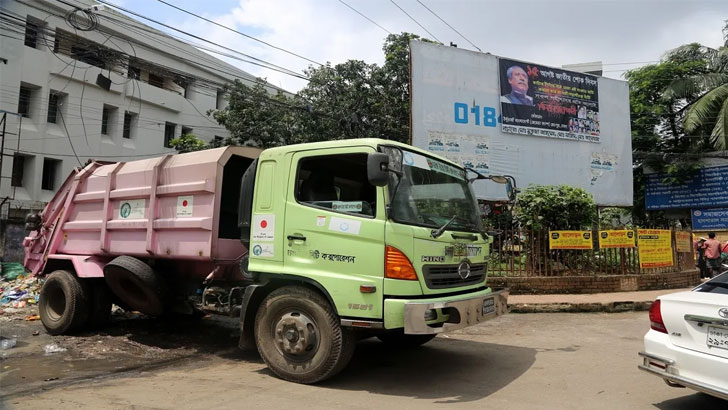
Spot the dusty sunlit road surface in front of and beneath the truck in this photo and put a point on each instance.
(519, 361)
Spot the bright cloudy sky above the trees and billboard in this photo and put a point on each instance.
(623, 34)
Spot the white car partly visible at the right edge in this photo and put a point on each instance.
(687, 344)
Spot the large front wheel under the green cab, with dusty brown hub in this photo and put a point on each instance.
(300, 337)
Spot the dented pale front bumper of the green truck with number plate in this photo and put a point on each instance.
(459, 311)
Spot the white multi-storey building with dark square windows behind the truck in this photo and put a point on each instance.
(118, 91)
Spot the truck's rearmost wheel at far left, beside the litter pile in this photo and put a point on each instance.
(62, 304)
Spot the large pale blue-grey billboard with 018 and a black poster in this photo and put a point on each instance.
(576, 133)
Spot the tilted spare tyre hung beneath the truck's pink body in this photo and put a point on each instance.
(136, 284)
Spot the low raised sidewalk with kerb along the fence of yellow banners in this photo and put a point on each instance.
(595, 302)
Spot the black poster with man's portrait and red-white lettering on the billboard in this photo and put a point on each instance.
(548, 102)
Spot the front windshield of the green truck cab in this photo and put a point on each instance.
(430, 192)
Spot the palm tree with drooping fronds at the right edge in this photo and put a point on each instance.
(705, 94)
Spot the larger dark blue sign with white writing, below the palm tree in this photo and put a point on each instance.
(707, 189)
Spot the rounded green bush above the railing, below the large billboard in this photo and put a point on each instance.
(543, 207)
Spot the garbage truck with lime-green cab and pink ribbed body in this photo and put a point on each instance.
(313, 246)
